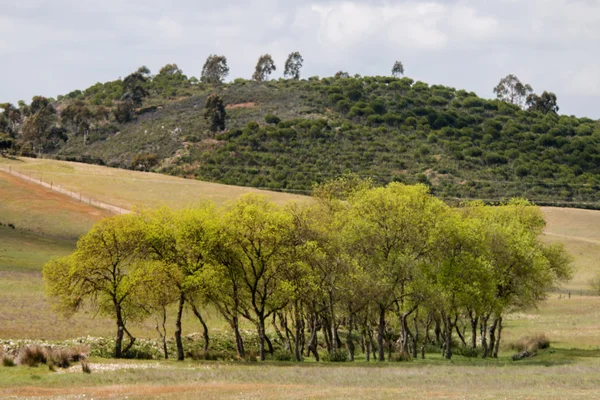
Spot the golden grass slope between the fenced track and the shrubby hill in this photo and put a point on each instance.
(127, 189)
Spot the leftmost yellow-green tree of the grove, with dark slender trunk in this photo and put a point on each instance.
(101, 271)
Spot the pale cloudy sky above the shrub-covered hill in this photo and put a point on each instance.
(51, 47)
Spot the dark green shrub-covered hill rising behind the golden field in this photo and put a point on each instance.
(288, 134)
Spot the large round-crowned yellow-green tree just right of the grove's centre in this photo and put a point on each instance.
(390, 234)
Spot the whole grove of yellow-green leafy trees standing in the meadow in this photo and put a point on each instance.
(390, 270)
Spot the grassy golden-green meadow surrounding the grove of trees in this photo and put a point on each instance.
(47, 225)
